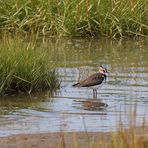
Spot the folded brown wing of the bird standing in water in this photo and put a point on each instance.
(92, 80)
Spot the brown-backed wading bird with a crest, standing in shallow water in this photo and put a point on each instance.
(94, 80)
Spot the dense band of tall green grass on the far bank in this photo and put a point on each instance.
(117, 18)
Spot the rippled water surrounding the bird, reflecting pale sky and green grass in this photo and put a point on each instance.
(124, 95)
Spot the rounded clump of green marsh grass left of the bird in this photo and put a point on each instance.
(24, 68)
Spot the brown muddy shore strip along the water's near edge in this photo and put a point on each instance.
(69, 139)
